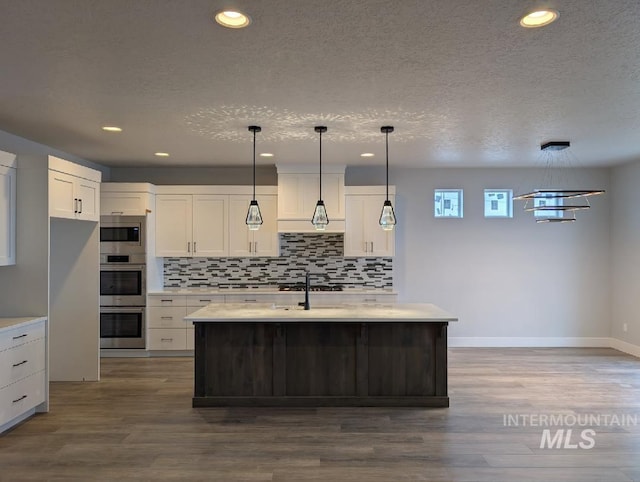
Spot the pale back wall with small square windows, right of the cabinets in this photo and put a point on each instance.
(501, 277)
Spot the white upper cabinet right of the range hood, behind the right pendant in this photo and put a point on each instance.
(363, 235)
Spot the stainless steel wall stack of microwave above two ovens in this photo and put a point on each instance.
(123, 287)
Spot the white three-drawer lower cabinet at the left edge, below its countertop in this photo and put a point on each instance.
(22, 371)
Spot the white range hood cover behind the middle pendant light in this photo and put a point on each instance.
(299, 191)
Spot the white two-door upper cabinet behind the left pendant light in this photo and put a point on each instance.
(244, 242)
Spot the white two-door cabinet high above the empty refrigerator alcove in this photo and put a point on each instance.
(74, 191)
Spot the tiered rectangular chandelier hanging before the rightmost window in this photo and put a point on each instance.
(554, 204)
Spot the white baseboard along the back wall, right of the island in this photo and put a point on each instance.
(526, 341)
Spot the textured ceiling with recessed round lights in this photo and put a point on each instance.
(461, 81)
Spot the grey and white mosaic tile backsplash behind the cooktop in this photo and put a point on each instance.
(320, 254)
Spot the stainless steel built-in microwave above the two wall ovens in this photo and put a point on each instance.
(122, 234)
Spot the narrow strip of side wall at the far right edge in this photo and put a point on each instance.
(625, 240)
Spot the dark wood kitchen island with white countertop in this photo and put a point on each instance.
(343, 355)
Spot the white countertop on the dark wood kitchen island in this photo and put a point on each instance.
(265, 312)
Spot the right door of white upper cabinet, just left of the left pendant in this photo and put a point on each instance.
(210, 225)
